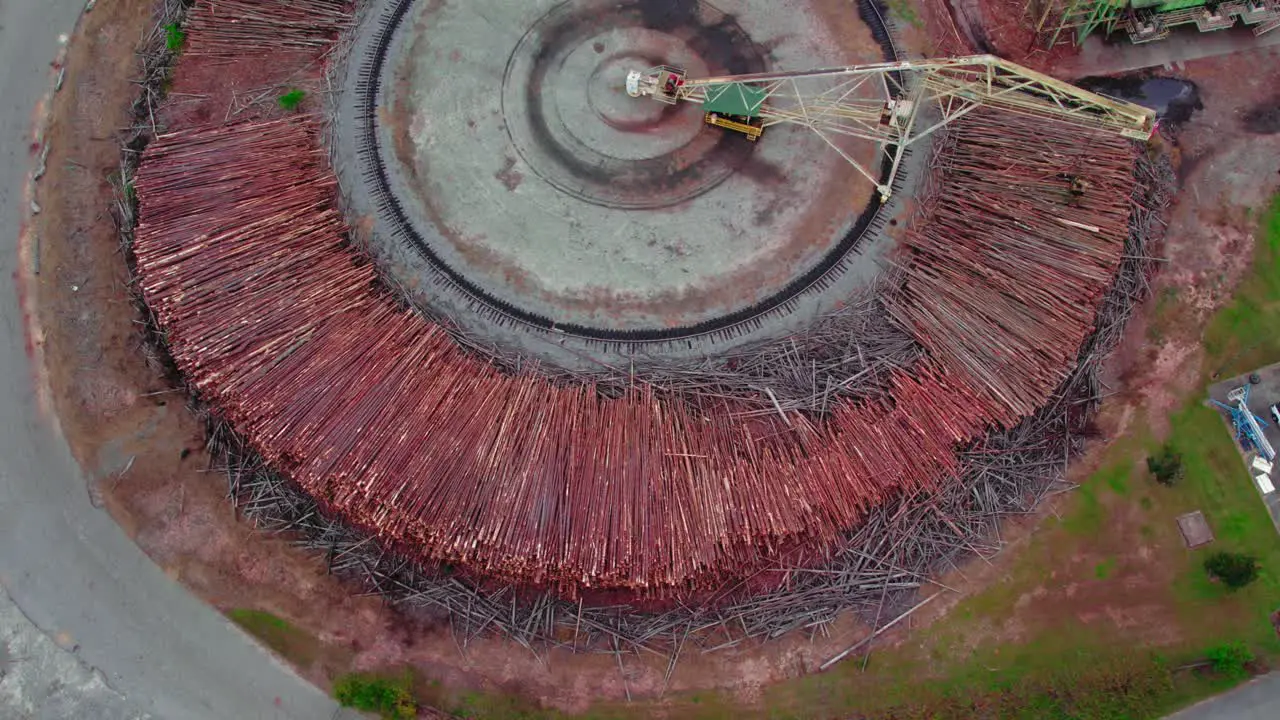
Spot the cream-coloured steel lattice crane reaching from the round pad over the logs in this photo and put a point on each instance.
(886, 103)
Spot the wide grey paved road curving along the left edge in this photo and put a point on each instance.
(70, 569)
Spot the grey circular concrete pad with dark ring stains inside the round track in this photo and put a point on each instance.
(522, 168)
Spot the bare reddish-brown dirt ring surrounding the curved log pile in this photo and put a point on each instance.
(145, 452)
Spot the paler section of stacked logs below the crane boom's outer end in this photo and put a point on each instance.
(1005, 275)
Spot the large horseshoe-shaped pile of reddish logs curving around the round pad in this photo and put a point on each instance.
(383, 418)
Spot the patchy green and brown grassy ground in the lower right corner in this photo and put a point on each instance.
(1117, 531)
